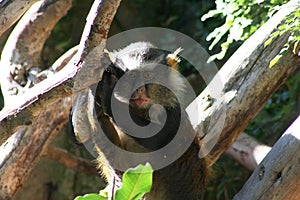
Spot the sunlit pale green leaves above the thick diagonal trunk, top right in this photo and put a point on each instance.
(242, 19)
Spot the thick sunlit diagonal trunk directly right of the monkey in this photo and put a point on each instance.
(248, 83)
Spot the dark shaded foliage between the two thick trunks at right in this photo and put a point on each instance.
(280, 110)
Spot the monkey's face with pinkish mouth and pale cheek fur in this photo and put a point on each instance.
(149, 85)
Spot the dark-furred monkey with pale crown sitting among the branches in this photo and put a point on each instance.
(145, 81)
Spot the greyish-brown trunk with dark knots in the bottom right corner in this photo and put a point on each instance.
(277, 176)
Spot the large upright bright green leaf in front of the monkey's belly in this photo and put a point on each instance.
(136, 183)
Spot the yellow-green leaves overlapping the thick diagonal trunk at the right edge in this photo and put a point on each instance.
(293, 26)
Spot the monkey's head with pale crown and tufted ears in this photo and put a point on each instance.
(150, 77)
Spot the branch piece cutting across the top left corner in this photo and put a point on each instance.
(11, 11)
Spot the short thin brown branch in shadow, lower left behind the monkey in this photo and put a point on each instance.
(63, 157)
